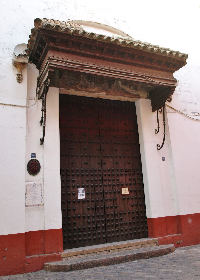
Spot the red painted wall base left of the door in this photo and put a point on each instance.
(27, 252)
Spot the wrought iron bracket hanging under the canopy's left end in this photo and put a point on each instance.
(43, 117)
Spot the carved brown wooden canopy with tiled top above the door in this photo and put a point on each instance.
(92, 64)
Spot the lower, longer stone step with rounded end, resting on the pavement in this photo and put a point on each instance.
(104, 259)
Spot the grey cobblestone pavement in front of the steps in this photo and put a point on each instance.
(183, 264)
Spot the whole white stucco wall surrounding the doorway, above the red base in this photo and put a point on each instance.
(171, 186)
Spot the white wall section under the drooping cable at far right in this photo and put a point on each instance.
(184, 135)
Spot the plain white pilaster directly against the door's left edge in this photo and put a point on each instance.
(52, 184)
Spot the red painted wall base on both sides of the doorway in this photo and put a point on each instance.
(27, 252)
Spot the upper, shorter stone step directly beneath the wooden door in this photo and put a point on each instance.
(111, 247)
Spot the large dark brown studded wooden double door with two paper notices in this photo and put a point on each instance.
(100, 159)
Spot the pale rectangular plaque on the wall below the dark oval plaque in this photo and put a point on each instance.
(34, 194)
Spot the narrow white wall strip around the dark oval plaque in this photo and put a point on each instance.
(34, 214)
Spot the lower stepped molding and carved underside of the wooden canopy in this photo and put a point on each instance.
(93, 78)
